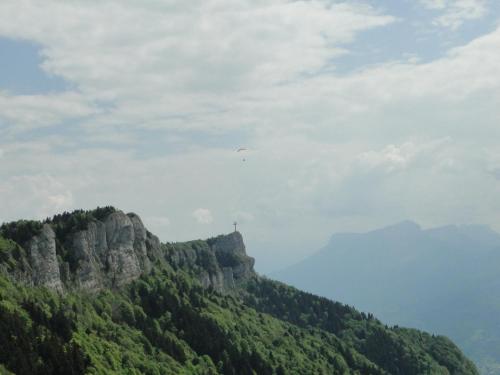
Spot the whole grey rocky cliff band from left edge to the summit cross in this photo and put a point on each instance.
(110, 251)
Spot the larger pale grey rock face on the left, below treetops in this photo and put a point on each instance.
(108, 253)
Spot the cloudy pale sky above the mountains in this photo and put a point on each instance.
(354, 114)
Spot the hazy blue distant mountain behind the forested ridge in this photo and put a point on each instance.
(445, 280)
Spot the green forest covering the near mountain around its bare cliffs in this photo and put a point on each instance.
(166, 322)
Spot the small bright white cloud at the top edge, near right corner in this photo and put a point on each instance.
(456, 12)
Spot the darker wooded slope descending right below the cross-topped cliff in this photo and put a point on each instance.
(396, 350)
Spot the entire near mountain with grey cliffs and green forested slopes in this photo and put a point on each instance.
(94, 292)
